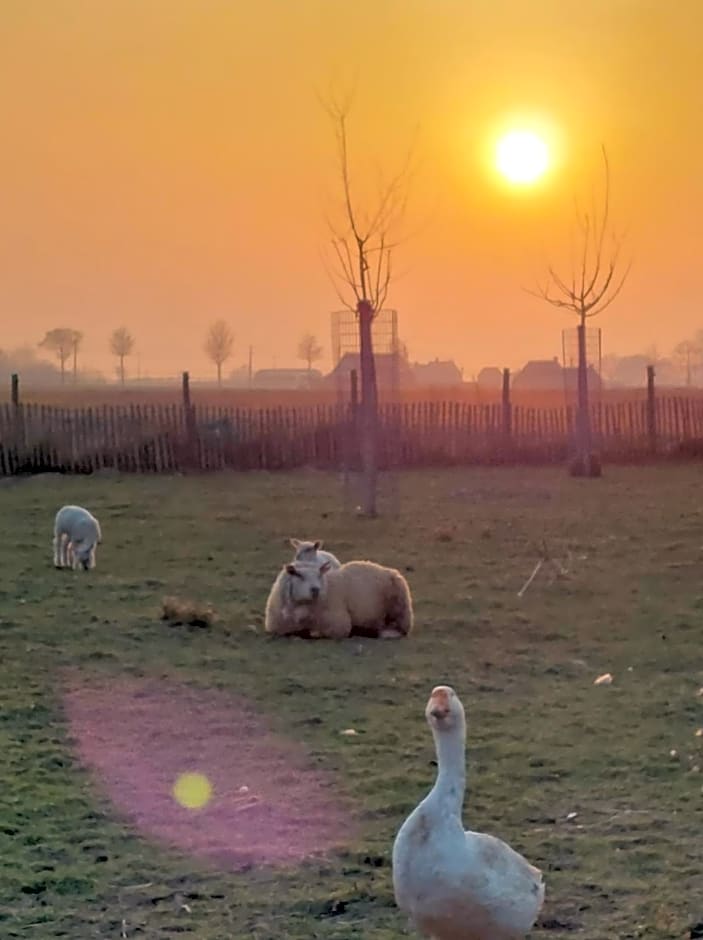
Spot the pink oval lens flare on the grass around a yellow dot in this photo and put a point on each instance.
(137, 737)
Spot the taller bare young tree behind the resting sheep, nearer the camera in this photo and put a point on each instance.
(362, 243)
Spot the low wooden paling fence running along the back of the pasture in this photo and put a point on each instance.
(168, 438)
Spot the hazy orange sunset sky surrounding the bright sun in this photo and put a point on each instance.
(166, 162)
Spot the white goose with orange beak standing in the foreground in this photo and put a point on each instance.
(458, 885)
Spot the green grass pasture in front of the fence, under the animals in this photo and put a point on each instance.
(89, 669)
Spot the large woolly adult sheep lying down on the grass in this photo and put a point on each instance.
(321, 601)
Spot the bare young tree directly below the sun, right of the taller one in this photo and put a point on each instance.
(594, 281)
